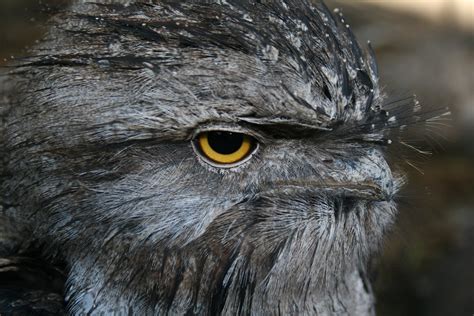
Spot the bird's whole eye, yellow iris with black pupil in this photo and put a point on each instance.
(225, 148)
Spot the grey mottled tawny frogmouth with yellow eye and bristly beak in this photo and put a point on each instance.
(194, 158)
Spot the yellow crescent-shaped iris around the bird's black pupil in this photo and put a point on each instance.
(225, 158)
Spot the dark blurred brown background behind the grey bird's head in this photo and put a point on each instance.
(428, 263)
